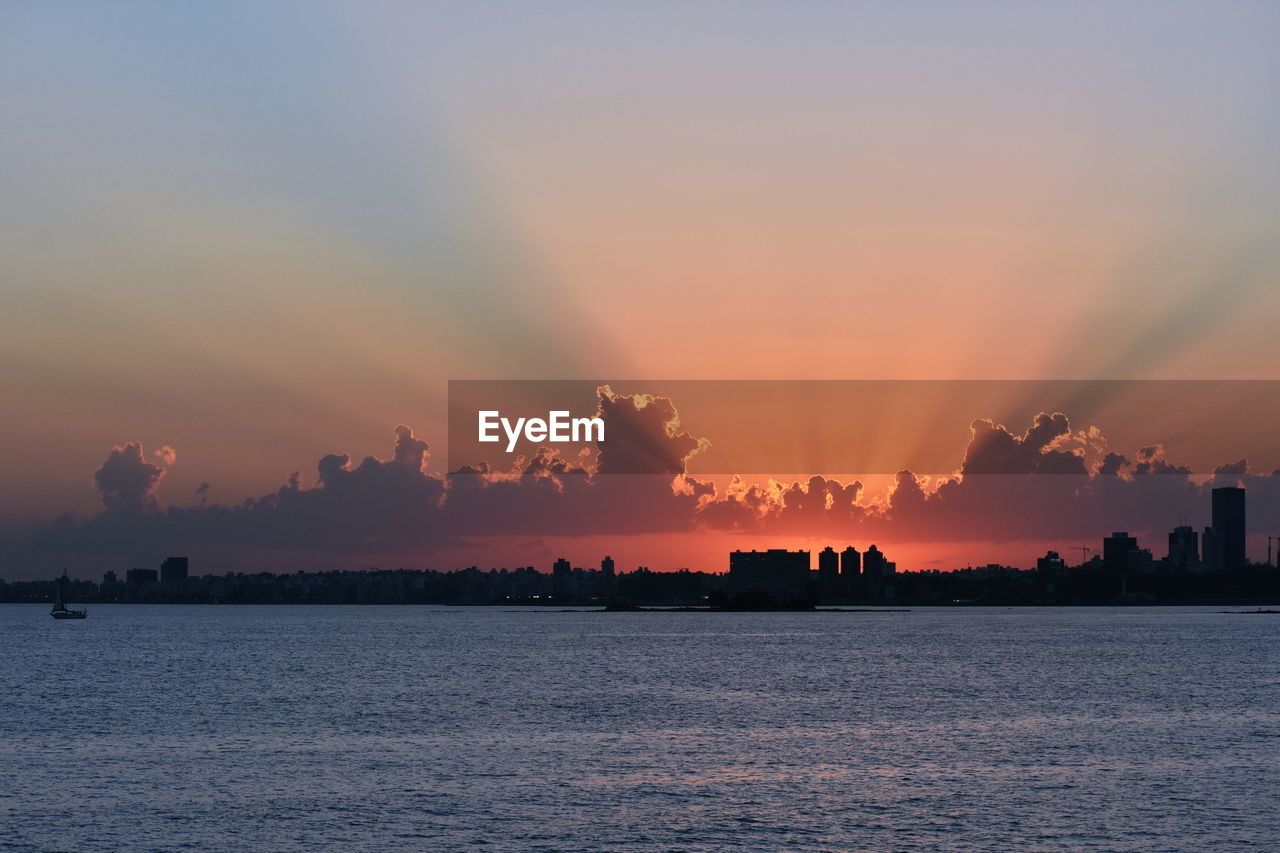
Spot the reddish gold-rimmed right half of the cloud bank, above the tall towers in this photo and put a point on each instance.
(1000, 494)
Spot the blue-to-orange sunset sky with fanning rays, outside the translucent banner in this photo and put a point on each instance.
(263, 234)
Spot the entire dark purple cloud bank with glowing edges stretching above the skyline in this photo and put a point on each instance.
(1049, 482)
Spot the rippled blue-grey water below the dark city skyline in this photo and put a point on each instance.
(153, 728)
